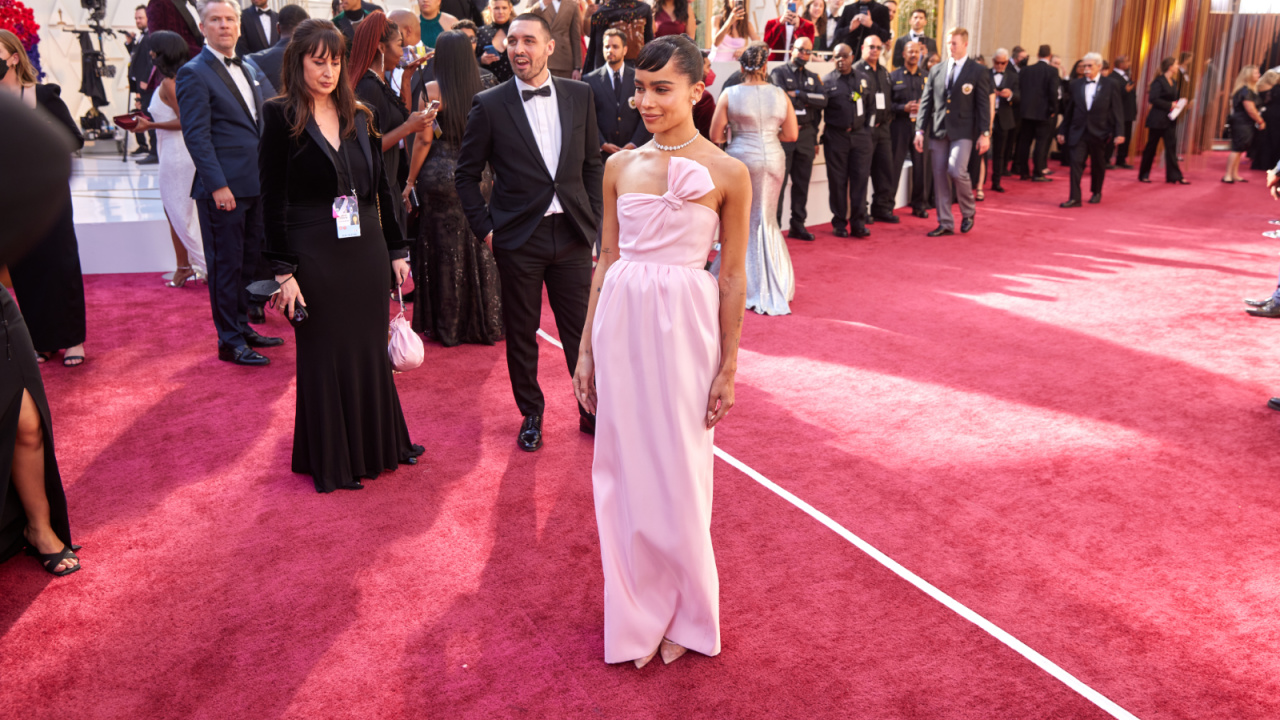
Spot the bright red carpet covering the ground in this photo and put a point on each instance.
(1058, 420)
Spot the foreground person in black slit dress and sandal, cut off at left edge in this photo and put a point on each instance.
(33, 504)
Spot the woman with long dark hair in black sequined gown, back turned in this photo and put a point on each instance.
(460, 295)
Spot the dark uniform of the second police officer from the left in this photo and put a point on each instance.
(848, 149)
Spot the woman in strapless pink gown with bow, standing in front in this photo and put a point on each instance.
(659, 364)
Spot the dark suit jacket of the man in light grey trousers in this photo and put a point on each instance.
(954, 113)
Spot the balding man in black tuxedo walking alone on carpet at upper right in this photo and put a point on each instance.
(1095, 120)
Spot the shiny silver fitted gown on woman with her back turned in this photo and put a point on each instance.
(756, 115)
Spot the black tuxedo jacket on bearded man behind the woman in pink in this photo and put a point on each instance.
(499, 134)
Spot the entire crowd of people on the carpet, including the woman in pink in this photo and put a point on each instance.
(495, 153)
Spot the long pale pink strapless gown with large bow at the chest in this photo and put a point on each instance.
(657, 350)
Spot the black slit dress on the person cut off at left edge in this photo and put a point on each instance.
(45, 153)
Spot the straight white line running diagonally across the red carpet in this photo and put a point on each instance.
(922, 585)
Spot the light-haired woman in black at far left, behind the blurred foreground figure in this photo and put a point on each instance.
(48, 280)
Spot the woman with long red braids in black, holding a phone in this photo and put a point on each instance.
(378, 49)
